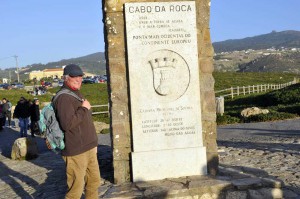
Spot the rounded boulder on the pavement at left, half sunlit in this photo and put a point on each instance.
(24, 148)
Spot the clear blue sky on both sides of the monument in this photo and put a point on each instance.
(42, 31)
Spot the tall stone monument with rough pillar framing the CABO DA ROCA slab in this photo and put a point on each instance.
(159, 60)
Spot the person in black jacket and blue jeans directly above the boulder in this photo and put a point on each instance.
(22, 113)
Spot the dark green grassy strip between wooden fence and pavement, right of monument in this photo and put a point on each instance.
(282, 104)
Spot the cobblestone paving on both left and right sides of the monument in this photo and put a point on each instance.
(270, 149)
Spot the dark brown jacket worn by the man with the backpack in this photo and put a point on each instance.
(77, 124)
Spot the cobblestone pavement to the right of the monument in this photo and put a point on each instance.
(266, 149)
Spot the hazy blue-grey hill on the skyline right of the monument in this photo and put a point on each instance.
(287, 39)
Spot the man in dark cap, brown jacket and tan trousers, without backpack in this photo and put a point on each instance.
(80, 153)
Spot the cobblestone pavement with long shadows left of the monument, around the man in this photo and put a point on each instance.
(43, 177)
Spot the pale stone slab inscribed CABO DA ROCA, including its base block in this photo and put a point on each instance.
(164, 89)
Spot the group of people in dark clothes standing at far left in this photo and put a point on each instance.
(26, 111)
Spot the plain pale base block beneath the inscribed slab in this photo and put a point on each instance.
(174, 163)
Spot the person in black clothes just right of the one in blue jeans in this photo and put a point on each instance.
(34, 117)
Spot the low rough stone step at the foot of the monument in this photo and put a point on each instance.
(232, 184)
